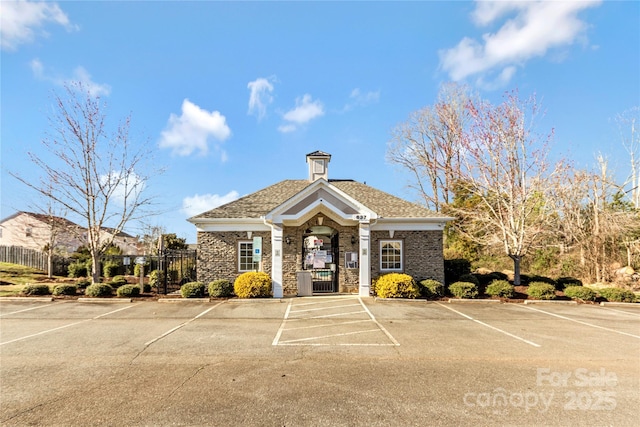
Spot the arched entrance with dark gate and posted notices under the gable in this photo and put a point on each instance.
(320, 255)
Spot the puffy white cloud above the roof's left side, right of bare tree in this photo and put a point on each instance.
(193, 129)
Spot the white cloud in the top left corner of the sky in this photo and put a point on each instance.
(20, 20)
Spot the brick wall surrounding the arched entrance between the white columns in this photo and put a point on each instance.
(348, 279)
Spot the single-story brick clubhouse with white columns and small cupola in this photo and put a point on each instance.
(340, 233)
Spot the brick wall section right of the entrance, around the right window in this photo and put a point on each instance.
(422, 253)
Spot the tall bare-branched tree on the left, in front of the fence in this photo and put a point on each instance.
(91, 172)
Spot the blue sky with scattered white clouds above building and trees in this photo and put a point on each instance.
(230, 96)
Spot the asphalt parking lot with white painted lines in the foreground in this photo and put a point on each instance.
(335, 361)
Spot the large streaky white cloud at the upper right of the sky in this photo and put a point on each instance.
(537, 27)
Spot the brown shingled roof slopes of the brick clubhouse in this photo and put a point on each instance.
(260, 203)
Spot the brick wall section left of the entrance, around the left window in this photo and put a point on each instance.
(218, 254)
